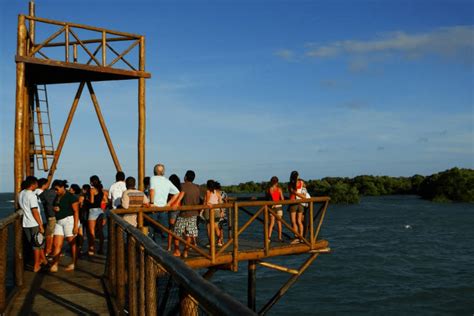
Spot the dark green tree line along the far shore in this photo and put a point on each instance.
(455, 184)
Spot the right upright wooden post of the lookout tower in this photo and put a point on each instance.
(141, 118)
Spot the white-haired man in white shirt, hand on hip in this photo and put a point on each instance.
(160, 188)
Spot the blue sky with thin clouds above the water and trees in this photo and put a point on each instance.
(244, 90)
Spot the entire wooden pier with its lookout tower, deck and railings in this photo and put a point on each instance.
(136, 276)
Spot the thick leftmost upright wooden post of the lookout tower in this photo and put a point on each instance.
(19, 167)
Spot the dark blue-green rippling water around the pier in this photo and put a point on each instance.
(390, 255)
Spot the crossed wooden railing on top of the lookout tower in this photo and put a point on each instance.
(70, 32)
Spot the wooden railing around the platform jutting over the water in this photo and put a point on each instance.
(214, 256)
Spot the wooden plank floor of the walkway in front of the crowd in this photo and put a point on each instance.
(64, 293)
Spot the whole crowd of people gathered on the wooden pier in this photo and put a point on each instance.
(57, 212)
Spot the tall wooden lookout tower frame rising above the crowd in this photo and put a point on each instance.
(34, 67)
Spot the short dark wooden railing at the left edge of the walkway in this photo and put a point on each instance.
(12, 223)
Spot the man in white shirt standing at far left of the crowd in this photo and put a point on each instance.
(32, 223)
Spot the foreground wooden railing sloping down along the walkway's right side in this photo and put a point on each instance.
(141, 277)
